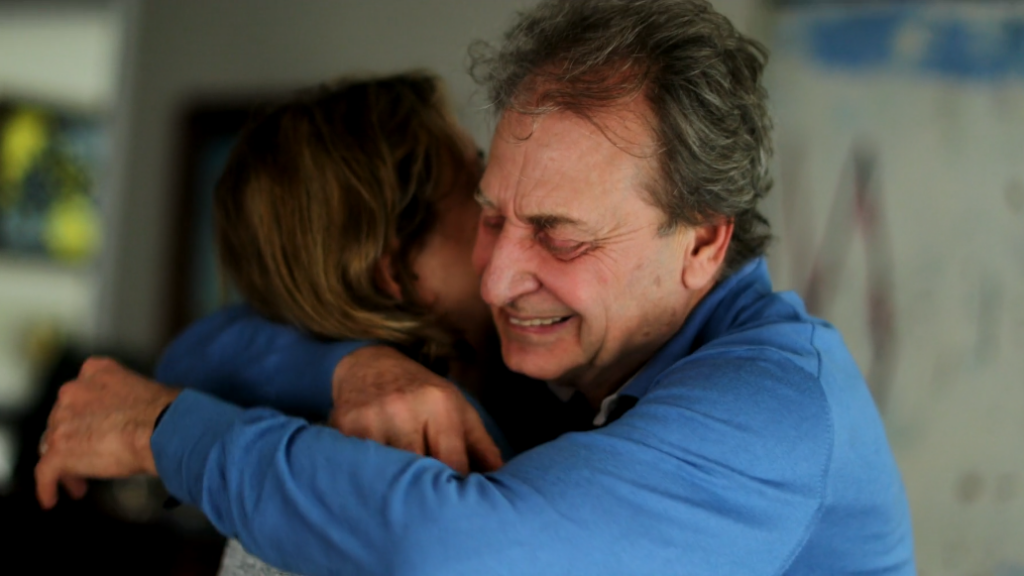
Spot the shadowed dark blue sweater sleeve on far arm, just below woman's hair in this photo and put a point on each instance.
(241, 357)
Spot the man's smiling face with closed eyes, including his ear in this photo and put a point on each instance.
(582, 285)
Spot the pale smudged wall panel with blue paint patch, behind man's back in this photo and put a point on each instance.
(900, 211)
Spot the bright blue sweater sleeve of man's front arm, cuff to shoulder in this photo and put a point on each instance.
(701, 477)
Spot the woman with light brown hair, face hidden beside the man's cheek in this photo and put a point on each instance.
(349, 214)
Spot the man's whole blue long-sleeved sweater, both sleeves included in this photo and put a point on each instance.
(754, 448)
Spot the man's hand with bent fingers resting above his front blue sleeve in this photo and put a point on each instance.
(381, 395)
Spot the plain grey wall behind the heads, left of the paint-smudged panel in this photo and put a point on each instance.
(185, 49)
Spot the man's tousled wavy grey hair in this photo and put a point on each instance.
(701, 77)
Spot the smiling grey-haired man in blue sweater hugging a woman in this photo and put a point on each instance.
(621, 254)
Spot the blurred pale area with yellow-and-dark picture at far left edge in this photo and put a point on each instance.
(60, 66)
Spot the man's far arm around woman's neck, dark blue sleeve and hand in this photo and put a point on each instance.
(241, 357)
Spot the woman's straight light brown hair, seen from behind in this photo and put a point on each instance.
(320, 188)
